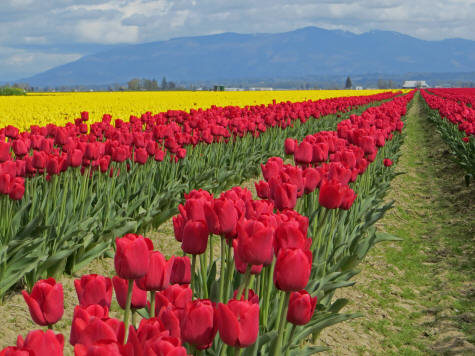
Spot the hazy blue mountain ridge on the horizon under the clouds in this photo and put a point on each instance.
(301, 53)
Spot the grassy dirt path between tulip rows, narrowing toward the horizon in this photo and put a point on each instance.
(418, 295)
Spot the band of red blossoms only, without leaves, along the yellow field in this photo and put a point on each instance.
(53, 149)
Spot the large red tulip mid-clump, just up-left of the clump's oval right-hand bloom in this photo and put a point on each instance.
(255, 242)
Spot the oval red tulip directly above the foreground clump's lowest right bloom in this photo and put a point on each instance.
(292, 269)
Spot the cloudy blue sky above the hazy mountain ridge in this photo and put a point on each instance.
(36, 35)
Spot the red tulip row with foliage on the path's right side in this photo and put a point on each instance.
(453, 113)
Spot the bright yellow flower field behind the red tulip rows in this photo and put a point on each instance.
(60, 108)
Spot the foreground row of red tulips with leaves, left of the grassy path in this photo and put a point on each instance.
(295, 247)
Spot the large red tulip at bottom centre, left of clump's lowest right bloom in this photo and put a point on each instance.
(238, 322)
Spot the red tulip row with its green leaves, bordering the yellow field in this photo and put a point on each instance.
(67, 192)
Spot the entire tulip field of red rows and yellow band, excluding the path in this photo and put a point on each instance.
(90, 175)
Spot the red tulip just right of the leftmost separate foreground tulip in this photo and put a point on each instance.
(94, 289)
